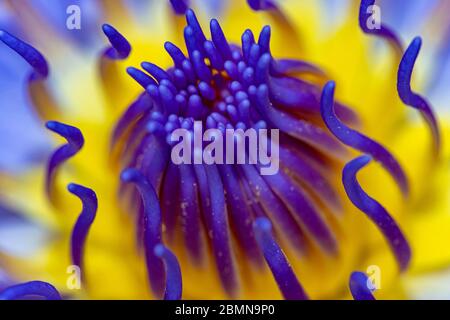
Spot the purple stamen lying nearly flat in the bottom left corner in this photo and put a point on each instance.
(33, 288)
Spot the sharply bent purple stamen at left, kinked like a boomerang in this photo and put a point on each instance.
(75, 142)
